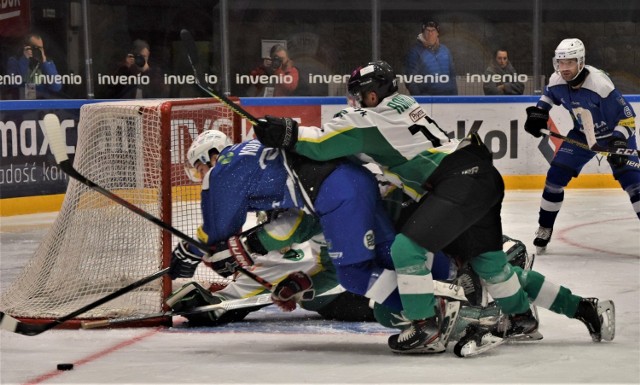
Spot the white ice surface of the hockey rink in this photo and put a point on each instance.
(595, 251)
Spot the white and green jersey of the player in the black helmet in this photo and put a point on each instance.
(397, 134)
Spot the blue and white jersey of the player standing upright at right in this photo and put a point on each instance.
(597, 107)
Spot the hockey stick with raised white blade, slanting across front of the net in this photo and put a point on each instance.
(52, 130)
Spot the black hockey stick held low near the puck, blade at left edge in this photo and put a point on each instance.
(31, 329)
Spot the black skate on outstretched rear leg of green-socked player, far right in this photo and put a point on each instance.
(599, 317)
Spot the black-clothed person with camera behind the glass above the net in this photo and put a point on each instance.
(137, 78)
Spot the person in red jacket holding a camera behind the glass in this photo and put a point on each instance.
(283, 75)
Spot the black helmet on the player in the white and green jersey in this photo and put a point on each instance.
(376, 76)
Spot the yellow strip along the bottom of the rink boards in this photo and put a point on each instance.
(49, 203)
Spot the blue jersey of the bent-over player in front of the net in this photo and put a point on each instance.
(247, 177)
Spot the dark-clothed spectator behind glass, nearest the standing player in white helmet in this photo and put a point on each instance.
(502, 76)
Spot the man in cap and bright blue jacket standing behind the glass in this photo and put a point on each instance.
(429, 68)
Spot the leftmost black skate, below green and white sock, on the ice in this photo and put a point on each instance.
(427, 335)
